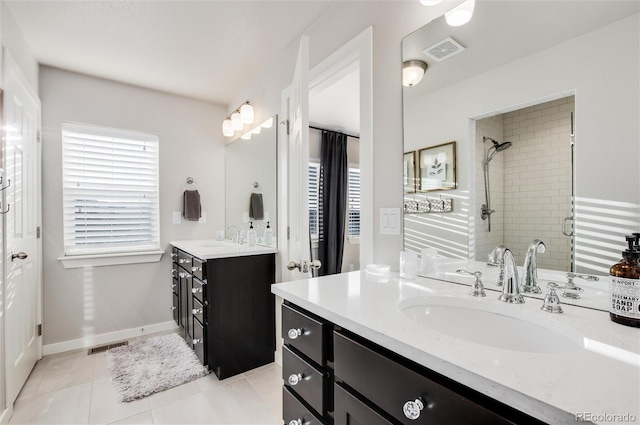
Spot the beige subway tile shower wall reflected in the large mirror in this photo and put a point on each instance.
(536, 192)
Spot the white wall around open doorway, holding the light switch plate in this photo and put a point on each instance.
(391, 21)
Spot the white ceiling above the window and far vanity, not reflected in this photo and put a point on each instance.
(201, 49)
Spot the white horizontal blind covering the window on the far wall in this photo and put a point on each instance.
(110, 190)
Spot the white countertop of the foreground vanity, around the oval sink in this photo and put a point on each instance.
(603, 378)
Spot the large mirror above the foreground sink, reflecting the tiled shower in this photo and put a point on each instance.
(501, 79)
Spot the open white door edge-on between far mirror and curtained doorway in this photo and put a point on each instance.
(295, 109)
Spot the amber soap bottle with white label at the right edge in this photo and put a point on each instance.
(624, 286)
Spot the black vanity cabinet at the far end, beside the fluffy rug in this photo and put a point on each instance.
(225, 310)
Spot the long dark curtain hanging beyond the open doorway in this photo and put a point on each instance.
(334, 179)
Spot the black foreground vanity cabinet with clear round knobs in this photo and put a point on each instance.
(364, 383)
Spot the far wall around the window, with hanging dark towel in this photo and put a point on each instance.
(82, 303)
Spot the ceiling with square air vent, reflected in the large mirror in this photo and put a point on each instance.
(504, 31)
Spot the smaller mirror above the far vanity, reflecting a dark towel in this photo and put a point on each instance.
(251, 180)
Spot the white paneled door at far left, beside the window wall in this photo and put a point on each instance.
(21, 209)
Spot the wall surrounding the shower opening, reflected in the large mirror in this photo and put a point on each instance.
(607, 127)
